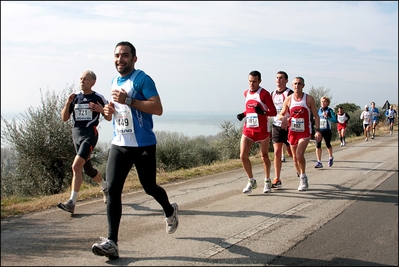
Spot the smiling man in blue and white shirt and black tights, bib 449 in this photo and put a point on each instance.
(134, 100)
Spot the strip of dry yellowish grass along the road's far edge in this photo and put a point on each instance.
(12, 206)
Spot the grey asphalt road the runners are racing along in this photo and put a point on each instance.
(349, 216)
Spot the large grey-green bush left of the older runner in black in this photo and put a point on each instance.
(44, 148)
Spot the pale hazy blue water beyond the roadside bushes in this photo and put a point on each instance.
(190, 124)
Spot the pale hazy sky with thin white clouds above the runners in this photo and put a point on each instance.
(200, 53)
